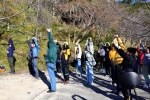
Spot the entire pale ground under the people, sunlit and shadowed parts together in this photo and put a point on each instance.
(24, 87)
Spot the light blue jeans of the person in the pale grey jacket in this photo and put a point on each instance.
(89, 73)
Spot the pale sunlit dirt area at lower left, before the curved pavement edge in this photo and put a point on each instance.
(20, 87)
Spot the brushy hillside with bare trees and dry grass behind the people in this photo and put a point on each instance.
(70, 20)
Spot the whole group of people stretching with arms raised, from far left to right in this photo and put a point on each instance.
(113, 57)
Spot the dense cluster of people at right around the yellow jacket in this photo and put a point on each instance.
(116, 59)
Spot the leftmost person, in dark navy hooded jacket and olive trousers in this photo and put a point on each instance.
(10, 56)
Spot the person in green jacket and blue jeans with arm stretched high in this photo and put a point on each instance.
(50, 59)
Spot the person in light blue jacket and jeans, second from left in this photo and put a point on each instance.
(34, 56)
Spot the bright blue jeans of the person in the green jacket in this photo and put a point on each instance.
(50, 68)
